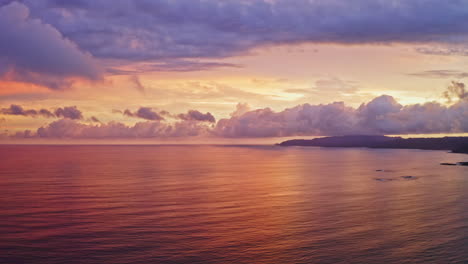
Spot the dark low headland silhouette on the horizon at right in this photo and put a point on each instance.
(454, 144)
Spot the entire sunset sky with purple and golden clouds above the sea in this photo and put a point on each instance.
(207, 70)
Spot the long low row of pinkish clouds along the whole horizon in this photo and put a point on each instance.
(382, 115)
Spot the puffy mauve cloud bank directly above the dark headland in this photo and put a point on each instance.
(382, 115)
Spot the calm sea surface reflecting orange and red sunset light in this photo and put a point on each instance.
(231, 204)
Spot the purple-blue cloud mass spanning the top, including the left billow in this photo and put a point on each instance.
(51, 42)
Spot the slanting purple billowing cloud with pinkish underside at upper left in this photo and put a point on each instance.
(35, 52)
